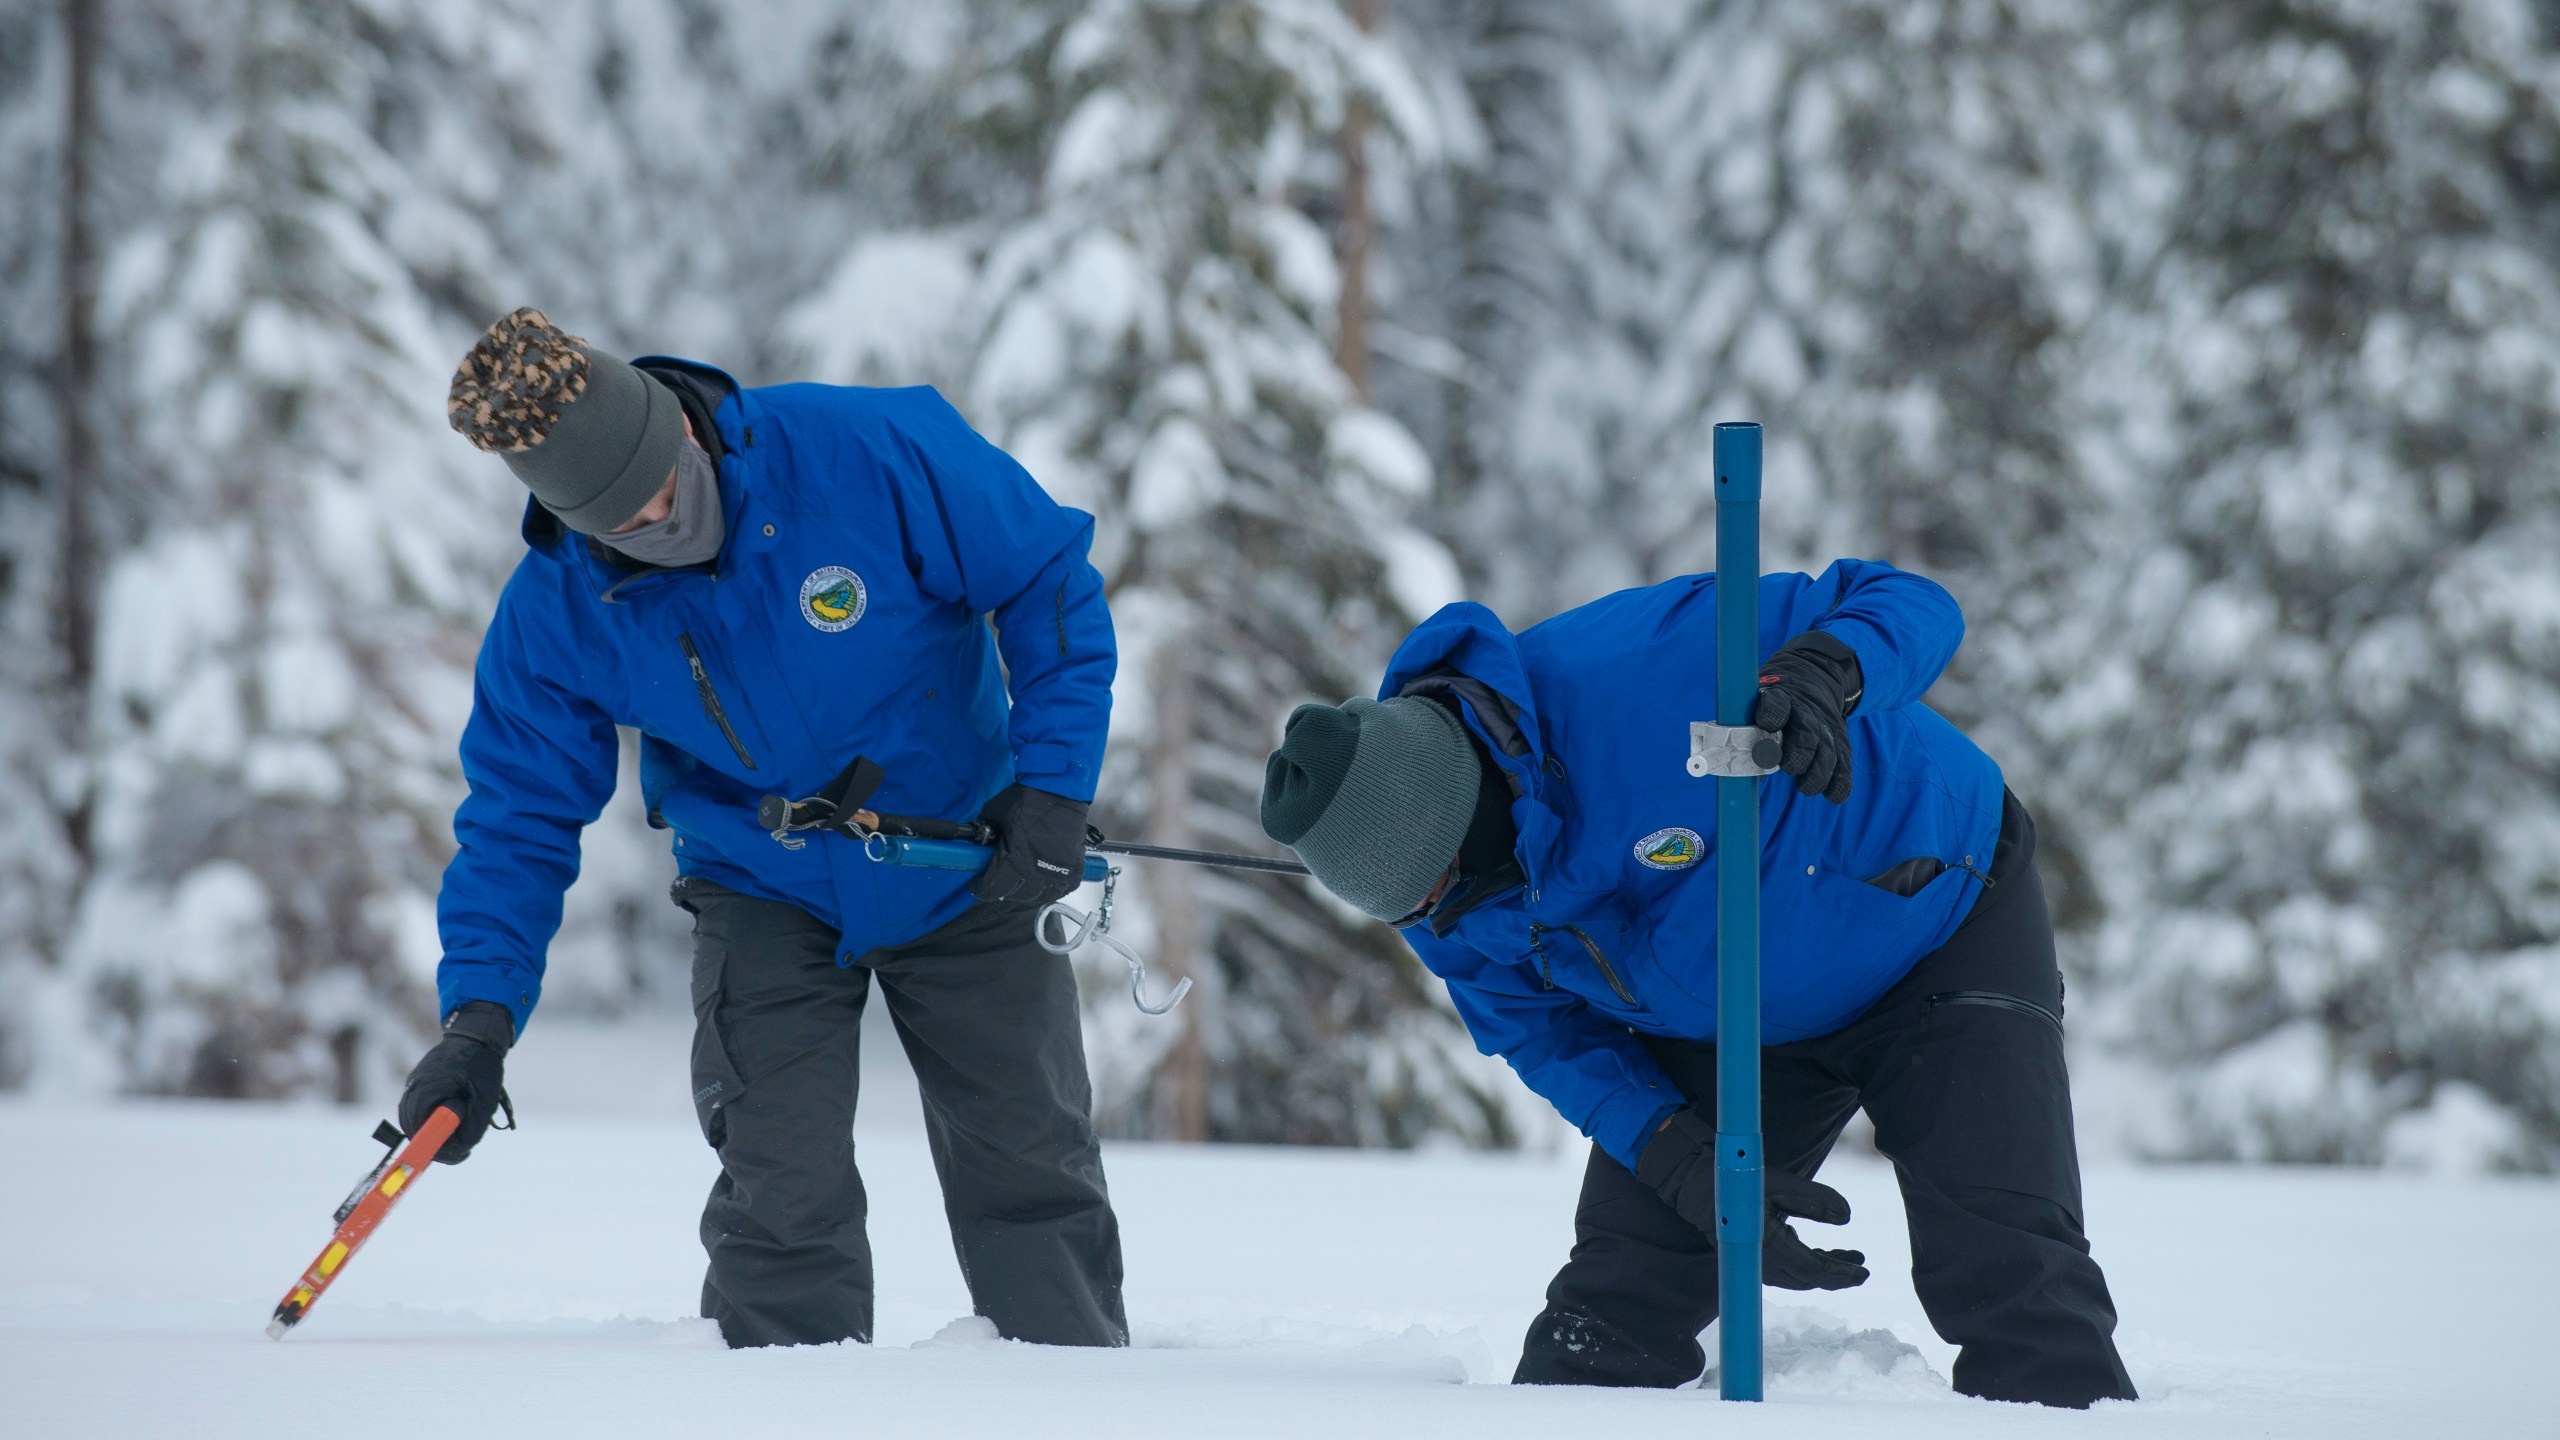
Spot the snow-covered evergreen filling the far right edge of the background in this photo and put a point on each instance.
(2331, 383)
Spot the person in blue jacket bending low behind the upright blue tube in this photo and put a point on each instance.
(1522, 808)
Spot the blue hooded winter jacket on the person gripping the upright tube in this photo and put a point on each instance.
(1614, 929)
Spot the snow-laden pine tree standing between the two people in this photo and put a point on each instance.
(1153, 342)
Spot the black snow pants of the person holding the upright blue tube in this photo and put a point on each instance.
(1962, 1072)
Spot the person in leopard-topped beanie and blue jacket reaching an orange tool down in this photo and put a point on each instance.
(769, 585)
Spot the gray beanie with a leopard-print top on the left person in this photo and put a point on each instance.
(585, 432)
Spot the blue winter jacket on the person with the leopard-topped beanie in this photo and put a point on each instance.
(872, 537)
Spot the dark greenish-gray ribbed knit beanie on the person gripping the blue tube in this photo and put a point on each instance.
(1373, 798)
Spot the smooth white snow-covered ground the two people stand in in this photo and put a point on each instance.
(549, 1290)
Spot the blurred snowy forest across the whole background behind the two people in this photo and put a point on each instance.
(2208, 350)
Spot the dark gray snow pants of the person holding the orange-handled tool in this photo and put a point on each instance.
(989, 1024)
